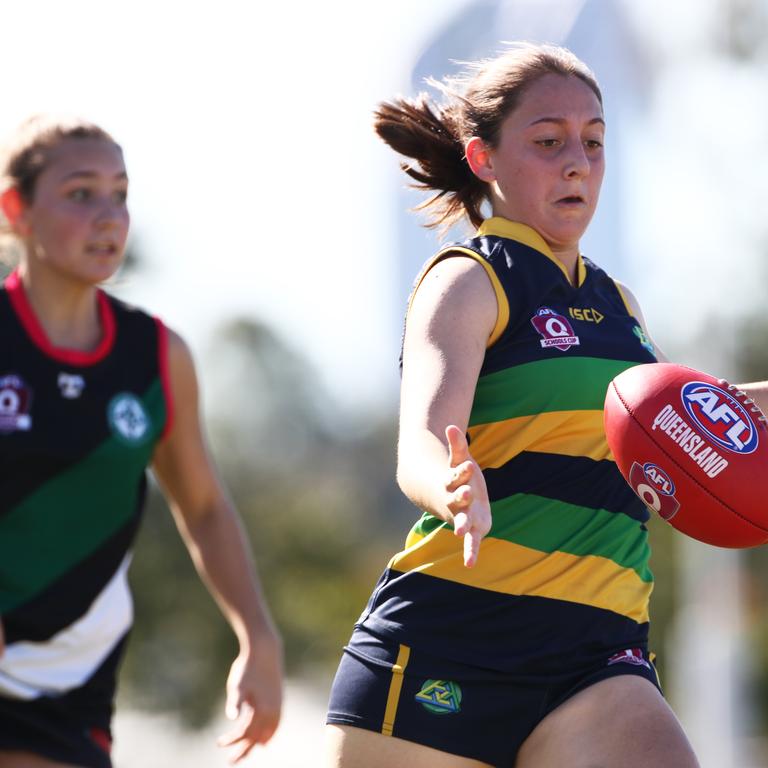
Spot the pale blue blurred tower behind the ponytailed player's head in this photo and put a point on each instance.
(595, 30)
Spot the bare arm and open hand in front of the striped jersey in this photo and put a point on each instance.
(449, 322)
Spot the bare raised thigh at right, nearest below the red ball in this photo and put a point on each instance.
(621, 722)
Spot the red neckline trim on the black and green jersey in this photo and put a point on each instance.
(35, 331)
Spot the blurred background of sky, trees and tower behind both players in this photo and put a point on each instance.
(271, 229)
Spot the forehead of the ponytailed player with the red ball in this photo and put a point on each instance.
(562, 97)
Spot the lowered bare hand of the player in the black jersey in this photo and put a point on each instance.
(254, 697)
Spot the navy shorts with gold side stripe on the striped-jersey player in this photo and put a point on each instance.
(477, 713)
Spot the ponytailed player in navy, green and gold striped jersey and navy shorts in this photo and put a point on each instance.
(512, 630)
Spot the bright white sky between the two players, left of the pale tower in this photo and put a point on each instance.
(255, 175)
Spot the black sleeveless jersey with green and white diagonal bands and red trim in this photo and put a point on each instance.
(77, 430)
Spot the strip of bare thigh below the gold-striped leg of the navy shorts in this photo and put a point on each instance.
(348, 747)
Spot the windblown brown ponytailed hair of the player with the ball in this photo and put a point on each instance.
(476, 103)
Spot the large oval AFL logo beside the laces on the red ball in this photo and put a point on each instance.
(720, 416)
